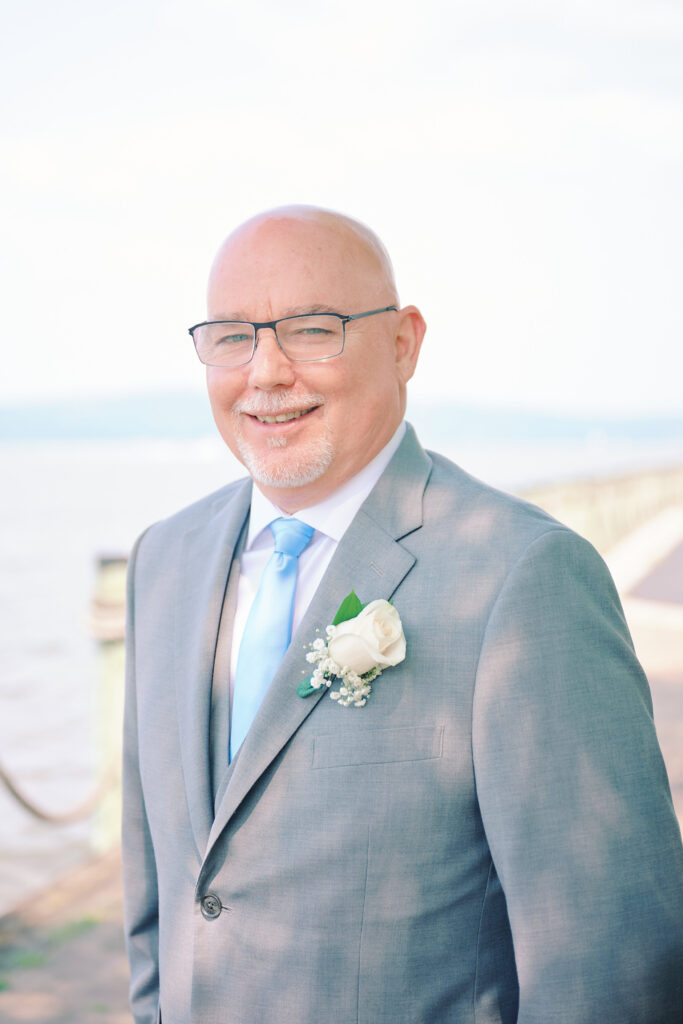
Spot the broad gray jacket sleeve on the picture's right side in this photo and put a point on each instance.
(575, 798)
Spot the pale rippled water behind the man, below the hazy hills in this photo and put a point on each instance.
(64, 505)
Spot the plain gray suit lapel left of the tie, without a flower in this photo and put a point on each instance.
(206, 558)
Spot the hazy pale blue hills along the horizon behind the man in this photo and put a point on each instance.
(187, 415)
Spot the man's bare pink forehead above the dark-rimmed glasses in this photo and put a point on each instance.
(273, 267)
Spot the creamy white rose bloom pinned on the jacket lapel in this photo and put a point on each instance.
(374, 637)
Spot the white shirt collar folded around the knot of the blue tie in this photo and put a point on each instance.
(333, 516)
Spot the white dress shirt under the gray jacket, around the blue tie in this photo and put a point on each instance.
(330, 520)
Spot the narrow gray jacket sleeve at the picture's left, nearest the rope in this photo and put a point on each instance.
(140, 873)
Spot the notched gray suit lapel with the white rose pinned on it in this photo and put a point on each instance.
(369, 561)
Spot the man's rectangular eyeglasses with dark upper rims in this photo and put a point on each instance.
(303, 339)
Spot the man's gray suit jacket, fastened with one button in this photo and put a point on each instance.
(491, 839)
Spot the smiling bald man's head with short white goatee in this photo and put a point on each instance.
(304, 424)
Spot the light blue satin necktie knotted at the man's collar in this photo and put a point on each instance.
(269, 628)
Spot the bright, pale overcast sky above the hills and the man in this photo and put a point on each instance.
(523, 161)
